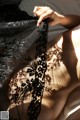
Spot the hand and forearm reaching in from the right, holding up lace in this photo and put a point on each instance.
(43, 12)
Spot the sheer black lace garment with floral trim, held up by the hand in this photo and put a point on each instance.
(18, 32)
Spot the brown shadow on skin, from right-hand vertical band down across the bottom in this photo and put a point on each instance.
(56, 100)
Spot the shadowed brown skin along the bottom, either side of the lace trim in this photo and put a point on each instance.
(52, 104)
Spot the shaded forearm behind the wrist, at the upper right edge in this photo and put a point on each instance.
(70, 21)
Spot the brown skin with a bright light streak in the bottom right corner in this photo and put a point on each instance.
(73, 101)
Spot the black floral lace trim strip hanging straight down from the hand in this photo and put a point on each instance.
(35, 85)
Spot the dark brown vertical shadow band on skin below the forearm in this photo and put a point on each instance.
(69, 56)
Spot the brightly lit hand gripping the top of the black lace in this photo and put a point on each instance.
(43, 12)
